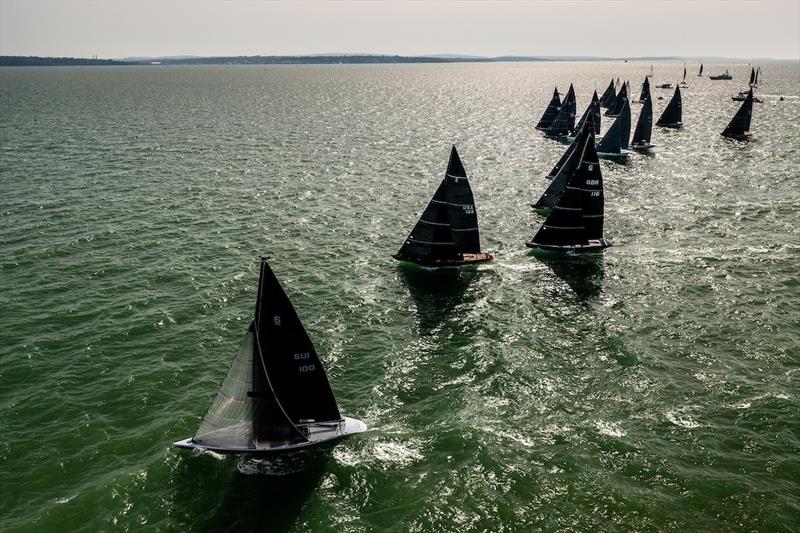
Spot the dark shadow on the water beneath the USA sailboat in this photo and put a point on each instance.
(436, 292)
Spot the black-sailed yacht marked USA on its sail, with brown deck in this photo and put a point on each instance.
(447, 232)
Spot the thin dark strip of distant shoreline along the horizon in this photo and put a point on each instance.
(355, 59)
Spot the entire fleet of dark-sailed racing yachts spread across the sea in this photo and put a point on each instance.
(276, 396)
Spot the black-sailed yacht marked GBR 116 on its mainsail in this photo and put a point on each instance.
(575, 223)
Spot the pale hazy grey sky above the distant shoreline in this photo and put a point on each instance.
(122, 28)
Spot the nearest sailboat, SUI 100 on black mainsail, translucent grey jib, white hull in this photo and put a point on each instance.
(276, 396)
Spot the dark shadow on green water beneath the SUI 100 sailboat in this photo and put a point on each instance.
(246, 494)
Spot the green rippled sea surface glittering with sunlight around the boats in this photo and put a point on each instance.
(653, 387)
